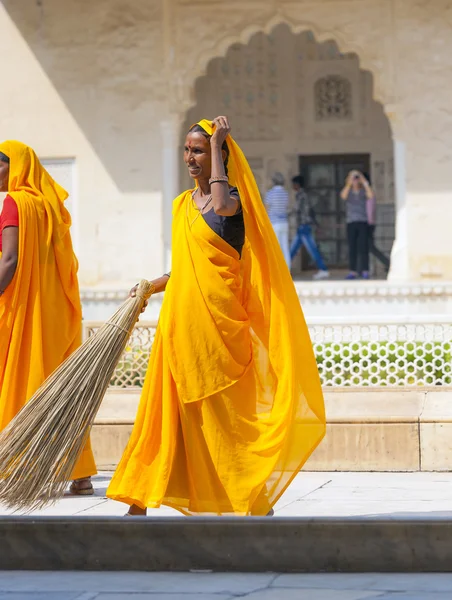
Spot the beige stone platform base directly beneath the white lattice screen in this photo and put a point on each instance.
(372, 429)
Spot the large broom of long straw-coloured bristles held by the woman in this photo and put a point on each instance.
(40, 446)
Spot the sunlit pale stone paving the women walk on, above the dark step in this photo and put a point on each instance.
(312, 494)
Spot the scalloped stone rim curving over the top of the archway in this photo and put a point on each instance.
(221, 46)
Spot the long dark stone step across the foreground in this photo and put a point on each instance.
(309, 545)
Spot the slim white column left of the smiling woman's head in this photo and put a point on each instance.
(170, 133)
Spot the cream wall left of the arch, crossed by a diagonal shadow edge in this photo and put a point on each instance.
(83, 80)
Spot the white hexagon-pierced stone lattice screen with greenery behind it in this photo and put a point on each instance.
(347, 355)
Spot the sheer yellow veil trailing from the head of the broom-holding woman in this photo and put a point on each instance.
(281, 340)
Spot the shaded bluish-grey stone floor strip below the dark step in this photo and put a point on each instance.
(26, 585)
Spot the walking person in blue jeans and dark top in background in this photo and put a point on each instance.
(305, 219)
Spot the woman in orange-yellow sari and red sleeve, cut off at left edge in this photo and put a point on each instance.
(40, 310)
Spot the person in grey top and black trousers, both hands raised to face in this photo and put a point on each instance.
(356, 193)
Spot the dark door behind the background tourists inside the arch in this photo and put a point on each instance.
(324, 177)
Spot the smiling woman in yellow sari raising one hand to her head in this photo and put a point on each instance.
(232, 405)
